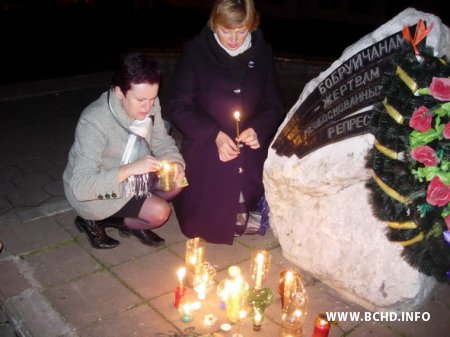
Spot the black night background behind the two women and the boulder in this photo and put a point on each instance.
(43, 39)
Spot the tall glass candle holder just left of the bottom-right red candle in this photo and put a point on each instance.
(294, 301)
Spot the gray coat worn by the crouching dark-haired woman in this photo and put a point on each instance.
(90, 178)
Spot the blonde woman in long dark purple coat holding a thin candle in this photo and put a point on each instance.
(228, 67)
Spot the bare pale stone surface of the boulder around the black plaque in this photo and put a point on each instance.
(320, 211)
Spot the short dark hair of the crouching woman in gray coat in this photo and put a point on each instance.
(136, 68)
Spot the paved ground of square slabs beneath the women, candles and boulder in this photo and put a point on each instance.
(52, 283)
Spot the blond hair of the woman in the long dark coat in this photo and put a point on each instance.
(233, 14)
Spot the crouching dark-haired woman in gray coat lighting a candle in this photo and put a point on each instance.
(111, 179)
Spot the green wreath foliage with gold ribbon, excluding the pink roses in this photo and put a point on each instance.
(401, 183)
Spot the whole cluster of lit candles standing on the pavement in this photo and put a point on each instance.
(239, 299)
